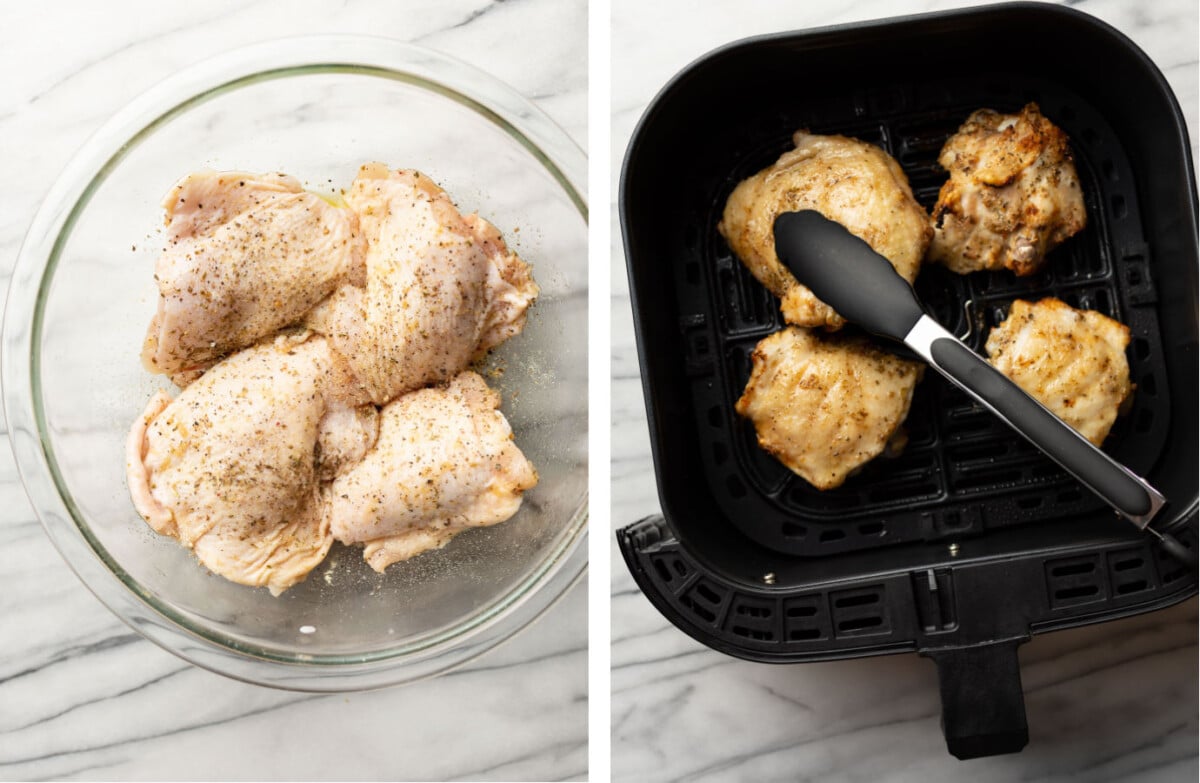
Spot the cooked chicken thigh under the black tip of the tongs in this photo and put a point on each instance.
(850, 182)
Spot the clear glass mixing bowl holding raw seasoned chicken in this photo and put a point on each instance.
(83, 292)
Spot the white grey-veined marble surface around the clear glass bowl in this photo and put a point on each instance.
(85, 697)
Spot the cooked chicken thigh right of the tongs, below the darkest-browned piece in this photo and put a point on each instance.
(1071, 361)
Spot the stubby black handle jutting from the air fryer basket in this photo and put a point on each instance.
(983, 708)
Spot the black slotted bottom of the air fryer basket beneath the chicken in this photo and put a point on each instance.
(963, 473)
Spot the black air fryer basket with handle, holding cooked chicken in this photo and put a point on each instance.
(971, 541)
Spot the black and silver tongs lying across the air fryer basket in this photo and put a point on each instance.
(844, 272)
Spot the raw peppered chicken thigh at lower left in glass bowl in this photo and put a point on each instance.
(230, 467)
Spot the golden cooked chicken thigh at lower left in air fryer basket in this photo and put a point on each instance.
(825, 407)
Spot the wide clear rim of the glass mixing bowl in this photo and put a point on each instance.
(430, 654)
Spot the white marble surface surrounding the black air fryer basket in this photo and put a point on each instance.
(1109, 703)
